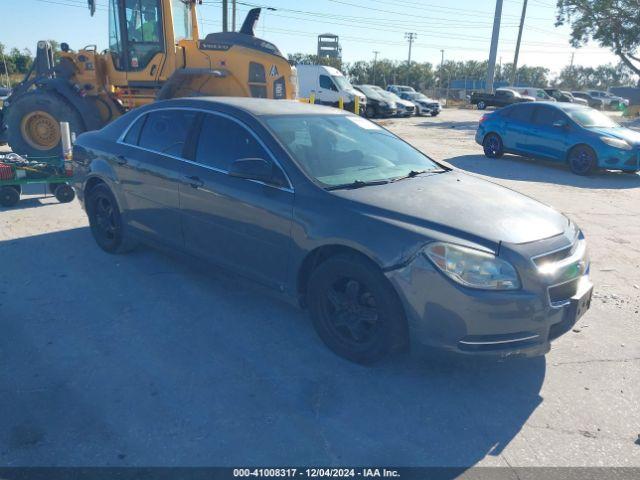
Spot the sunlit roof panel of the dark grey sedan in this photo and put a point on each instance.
(253, 106)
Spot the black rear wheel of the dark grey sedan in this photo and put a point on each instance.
(106, 222)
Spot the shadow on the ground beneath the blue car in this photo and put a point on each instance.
(512, 167)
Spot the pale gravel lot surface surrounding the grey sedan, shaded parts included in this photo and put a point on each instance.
(147, 360)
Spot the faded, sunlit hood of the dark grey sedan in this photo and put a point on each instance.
(459, 205)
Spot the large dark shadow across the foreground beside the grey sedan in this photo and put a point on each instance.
(144, 359)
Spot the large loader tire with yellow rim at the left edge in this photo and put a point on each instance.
(33, 122)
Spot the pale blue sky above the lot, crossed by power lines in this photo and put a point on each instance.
(461, 27)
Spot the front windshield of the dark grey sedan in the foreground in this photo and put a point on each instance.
(344, 150)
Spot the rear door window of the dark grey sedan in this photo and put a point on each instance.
(165, 131)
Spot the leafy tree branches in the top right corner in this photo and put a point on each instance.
(613, 24)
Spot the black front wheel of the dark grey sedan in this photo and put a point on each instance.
(355, 310)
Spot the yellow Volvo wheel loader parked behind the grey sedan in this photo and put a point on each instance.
(155, 52)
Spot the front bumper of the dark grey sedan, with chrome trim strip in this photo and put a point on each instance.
(446, 315)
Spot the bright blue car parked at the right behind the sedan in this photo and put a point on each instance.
(582, 137)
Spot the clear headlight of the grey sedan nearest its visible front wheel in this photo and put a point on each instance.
(473, 268)
